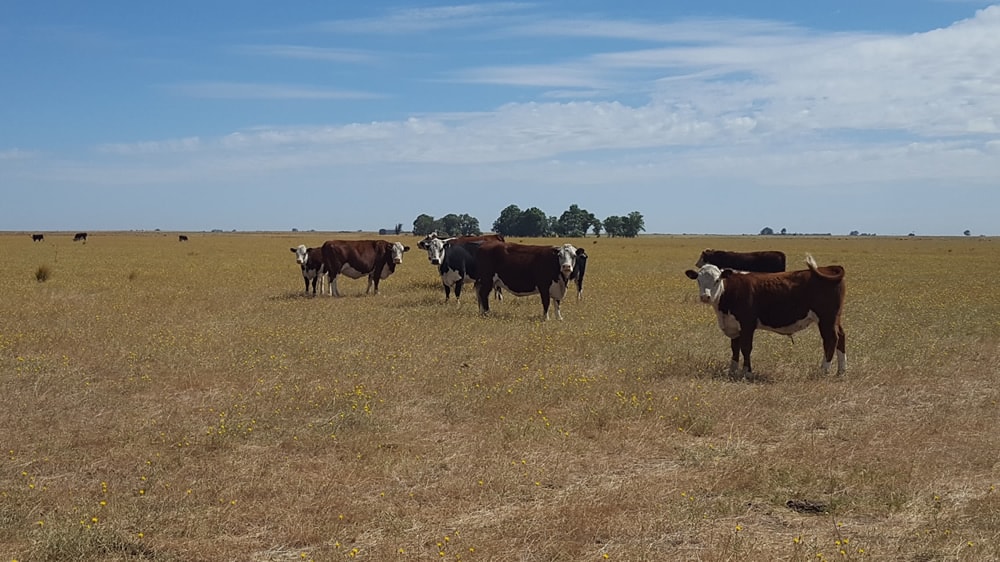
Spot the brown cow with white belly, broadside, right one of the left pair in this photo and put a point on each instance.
(356, 258)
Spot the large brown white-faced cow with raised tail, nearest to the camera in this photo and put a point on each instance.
(783, 302)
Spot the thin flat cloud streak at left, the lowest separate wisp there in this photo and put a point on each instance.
(247, 90)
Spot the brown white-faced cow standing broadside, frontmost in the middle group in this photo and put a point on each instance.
(526, 270)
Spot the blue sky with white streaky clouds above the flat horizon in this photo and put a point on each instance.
(706, 117)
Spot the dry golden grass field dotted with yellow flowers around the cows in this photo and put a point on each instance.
(187, 402)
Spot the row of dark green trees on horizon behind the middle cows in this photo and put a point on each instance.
(534, 223)
